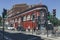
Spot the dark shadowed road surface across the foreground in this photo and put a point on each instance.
(18, 36)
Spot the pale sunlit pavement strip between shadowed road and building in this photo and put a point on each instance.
(50, 37)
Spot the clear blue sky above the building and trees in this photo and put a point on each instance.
(51, 4)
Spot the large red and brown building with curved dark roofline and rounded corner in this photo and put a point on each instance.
(29, 17)
